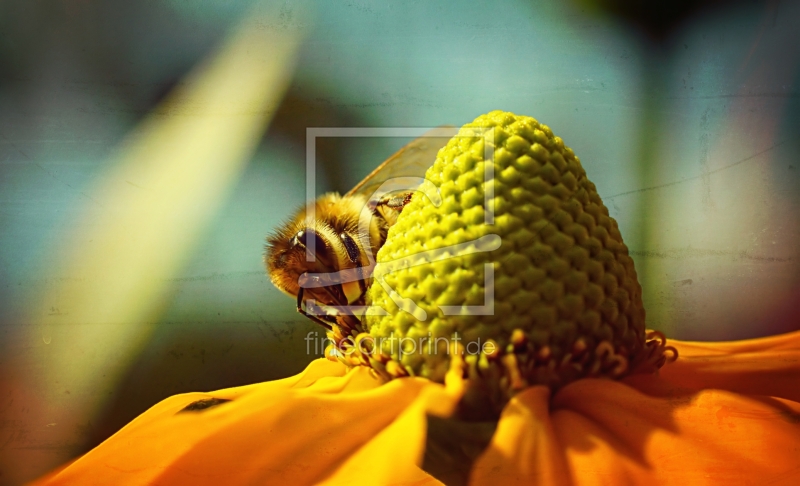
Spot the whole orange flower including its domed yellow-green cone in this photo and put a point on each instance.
(721, 412)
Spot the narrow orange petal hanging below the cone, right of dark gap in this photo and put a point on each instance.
(524, 448)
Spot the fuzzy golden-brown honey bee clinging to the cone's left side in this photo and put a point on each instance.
(324, 254)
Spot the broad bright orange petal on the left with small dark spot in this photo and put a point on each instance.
(273, 433)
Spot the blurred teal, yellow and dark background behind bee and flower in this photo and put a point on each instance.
(687, 119)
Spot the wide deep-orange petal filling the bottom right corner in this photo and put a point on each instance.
(613, 433)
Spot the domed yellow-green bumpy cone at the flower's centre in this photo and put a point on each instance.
(566, 300)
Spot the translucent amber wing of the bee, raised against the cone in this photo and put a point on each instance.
(410, 161)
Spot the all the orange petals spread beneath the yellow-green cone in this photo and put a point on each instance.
(723, 412)
